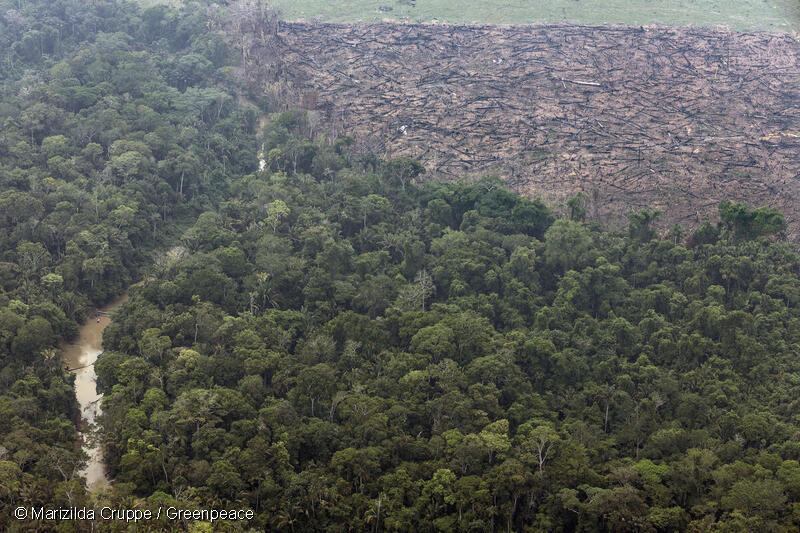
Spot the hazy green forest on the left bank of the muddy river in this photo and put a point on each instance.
(114, 134)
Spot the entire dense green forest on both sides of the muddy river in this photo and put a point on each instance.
(339, 345)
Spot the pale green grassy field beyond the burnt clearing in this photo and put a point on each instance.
(764, 15)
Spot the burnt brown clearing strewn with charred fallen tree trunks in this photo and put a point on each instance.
(670, 118)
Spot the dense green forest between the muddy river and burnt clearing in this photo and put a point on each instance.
(446, 351)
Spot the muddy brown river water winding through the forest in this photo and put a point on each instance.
(80, 357)
